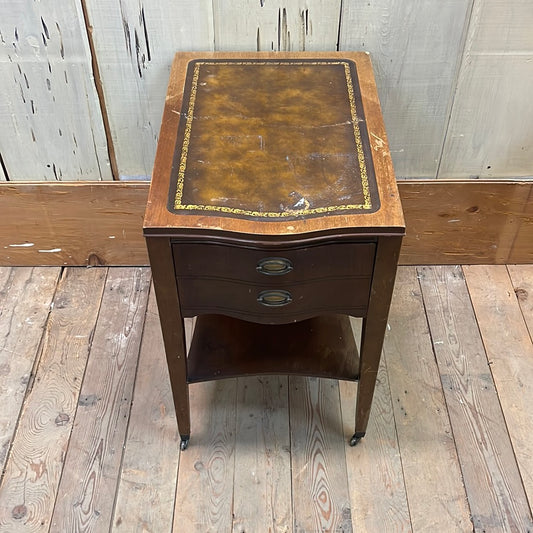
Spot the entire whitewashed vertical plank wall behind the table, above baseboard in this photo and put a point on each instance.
(454, 77)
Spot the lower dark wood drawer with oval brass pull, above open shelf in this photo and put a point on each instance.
(270, 305)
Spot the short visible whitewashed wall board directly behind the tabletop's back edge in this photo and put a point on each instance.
(269, 25)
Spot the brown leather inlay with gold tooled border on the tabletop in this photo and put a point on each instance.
(272, 139)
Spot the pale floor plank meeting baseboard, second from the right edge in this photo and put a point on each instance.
(510, 352)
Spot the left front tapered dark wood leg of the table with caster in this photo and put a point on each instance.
(166, 291)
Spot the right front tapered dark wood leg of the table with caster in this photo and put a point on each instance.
(374, 326)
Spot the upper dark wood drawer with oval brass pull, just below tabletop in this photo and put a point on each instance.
(324, 261)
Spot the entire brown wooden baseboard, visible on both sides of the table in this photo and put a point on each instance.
(100, 223)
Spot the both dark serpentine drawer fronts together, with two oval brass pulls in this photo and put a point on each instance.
(274, 288)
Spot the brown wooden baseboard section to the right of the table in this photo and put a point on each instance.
(467, 222)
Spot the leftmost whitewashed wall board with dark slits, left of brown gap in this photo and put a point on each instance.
(51, 121)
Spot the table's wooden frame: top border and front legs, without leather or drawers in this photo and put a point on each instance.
(163, 229)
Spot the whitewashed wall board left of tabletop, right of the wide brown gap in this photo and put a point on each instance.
(134, 44)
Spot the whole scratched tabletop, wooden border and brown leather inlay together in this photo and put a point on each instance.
(273, 144)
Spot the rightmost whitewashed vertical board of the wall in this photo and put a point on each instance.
(490, 133)
